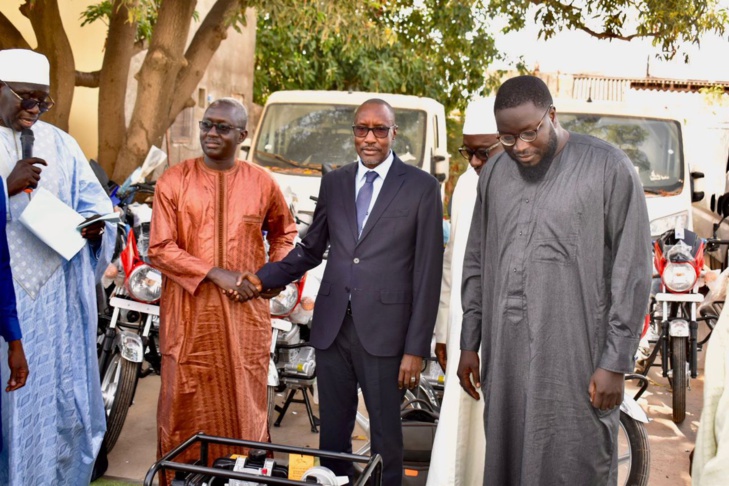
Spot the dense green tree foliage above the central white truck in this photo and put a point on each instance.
(433, 48)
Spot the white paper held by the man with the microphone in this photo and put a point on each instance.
(54, 223)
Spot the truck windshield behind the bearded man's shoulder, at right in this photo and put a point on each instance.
(654, 146)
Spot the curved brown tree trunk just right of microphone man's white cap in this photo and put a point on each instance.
(45, 18)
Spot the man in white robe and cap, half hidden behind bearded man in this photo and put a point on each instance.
(459, 447)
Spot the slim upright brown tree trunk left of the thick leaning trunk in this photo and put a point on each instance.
(113, 82)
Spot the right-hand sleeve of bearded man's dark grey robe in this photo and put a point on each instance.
(627, 235)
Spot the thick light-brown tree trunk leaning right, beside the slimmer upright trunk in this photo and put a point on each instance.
(154, 91)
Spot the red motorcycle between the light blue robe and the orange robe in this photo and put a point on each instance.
(130, 335)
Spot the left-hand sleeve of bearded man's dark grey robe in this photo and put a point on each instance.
(471, 287)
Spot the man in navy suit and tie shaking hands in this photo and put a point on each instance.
(376, 308)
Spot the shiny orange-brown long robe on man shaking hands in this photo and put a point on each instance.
(215, 352)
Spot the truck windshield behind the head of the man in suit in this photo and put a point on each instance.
(299, 138)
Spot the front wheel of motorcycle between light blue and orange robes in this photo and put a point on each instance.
(117, 389)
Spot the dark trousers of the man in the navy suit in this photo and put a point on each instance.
(339, 369)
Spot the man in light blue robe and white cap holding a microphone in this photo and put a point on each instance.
(54, 426)
